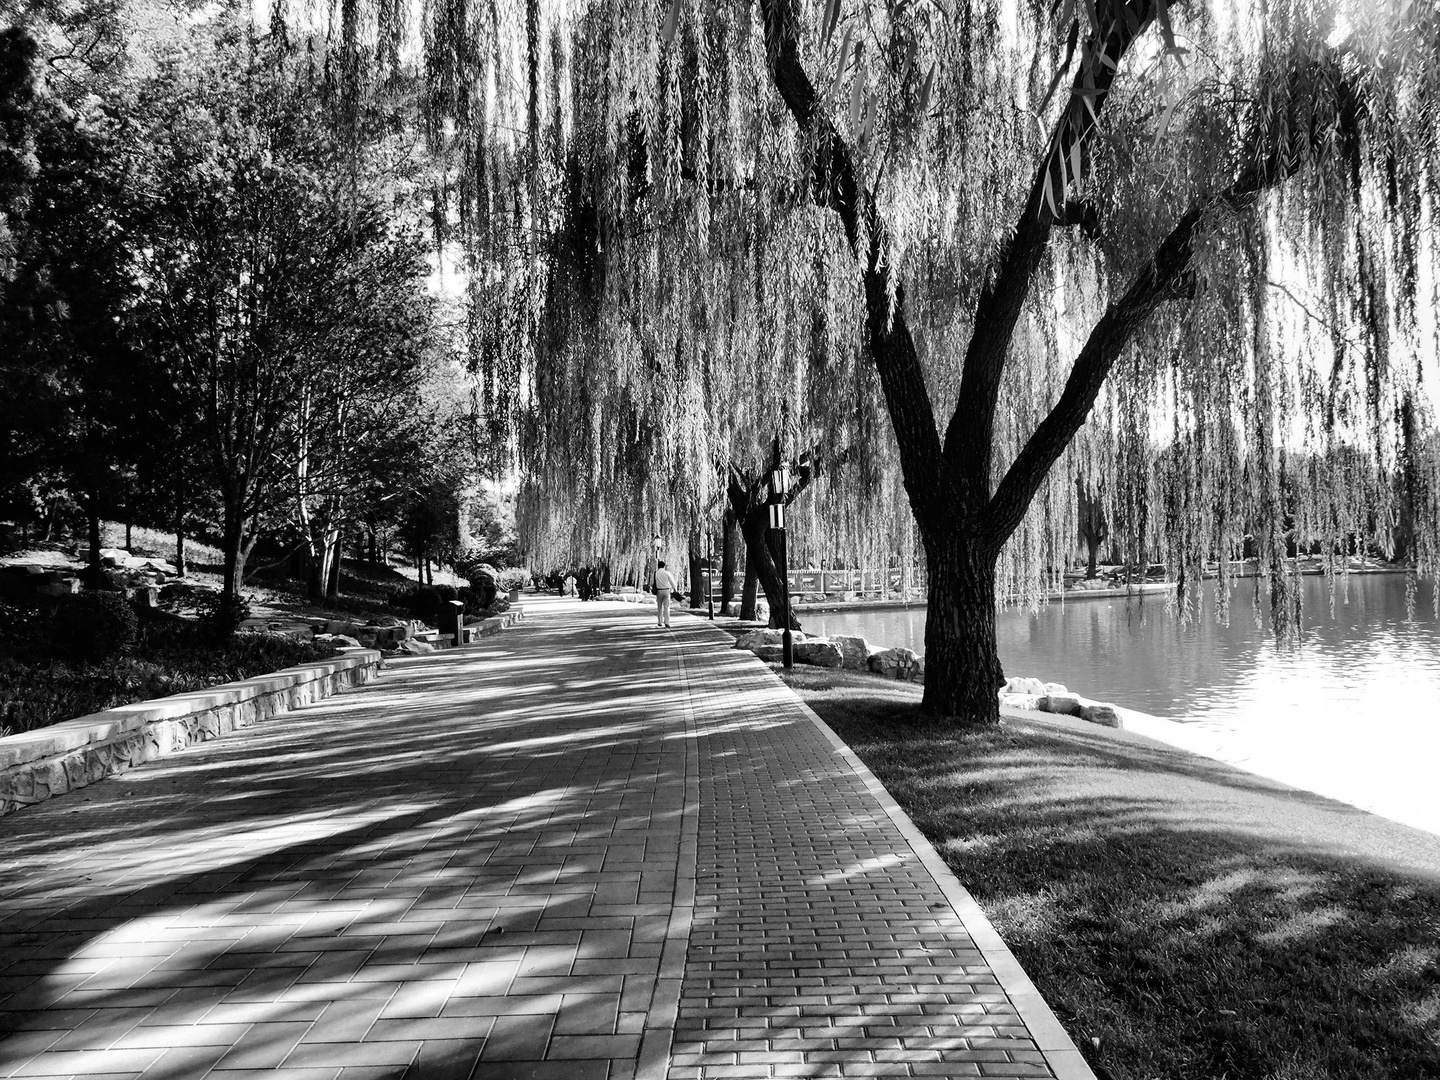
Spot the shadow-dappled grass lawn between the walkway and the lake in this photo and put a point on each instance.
(1184, 919)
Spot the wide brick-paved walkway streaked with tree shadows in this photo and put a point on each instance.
(585, 850)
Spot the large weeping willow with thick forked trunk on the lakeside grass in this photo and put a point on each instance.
(931, 241)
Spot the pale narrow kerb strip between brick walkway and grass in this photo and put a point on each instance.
(1053, 1042)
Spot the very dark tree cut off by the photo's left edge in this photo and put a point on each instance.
(63, 296)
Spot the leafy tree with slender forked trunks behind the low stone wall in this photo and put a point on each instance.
(280, 296)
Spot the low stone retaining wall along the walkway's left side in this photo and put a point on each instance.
(40, 765)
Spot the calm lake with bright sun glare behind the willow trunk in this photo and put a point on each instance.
(1350, 711)
